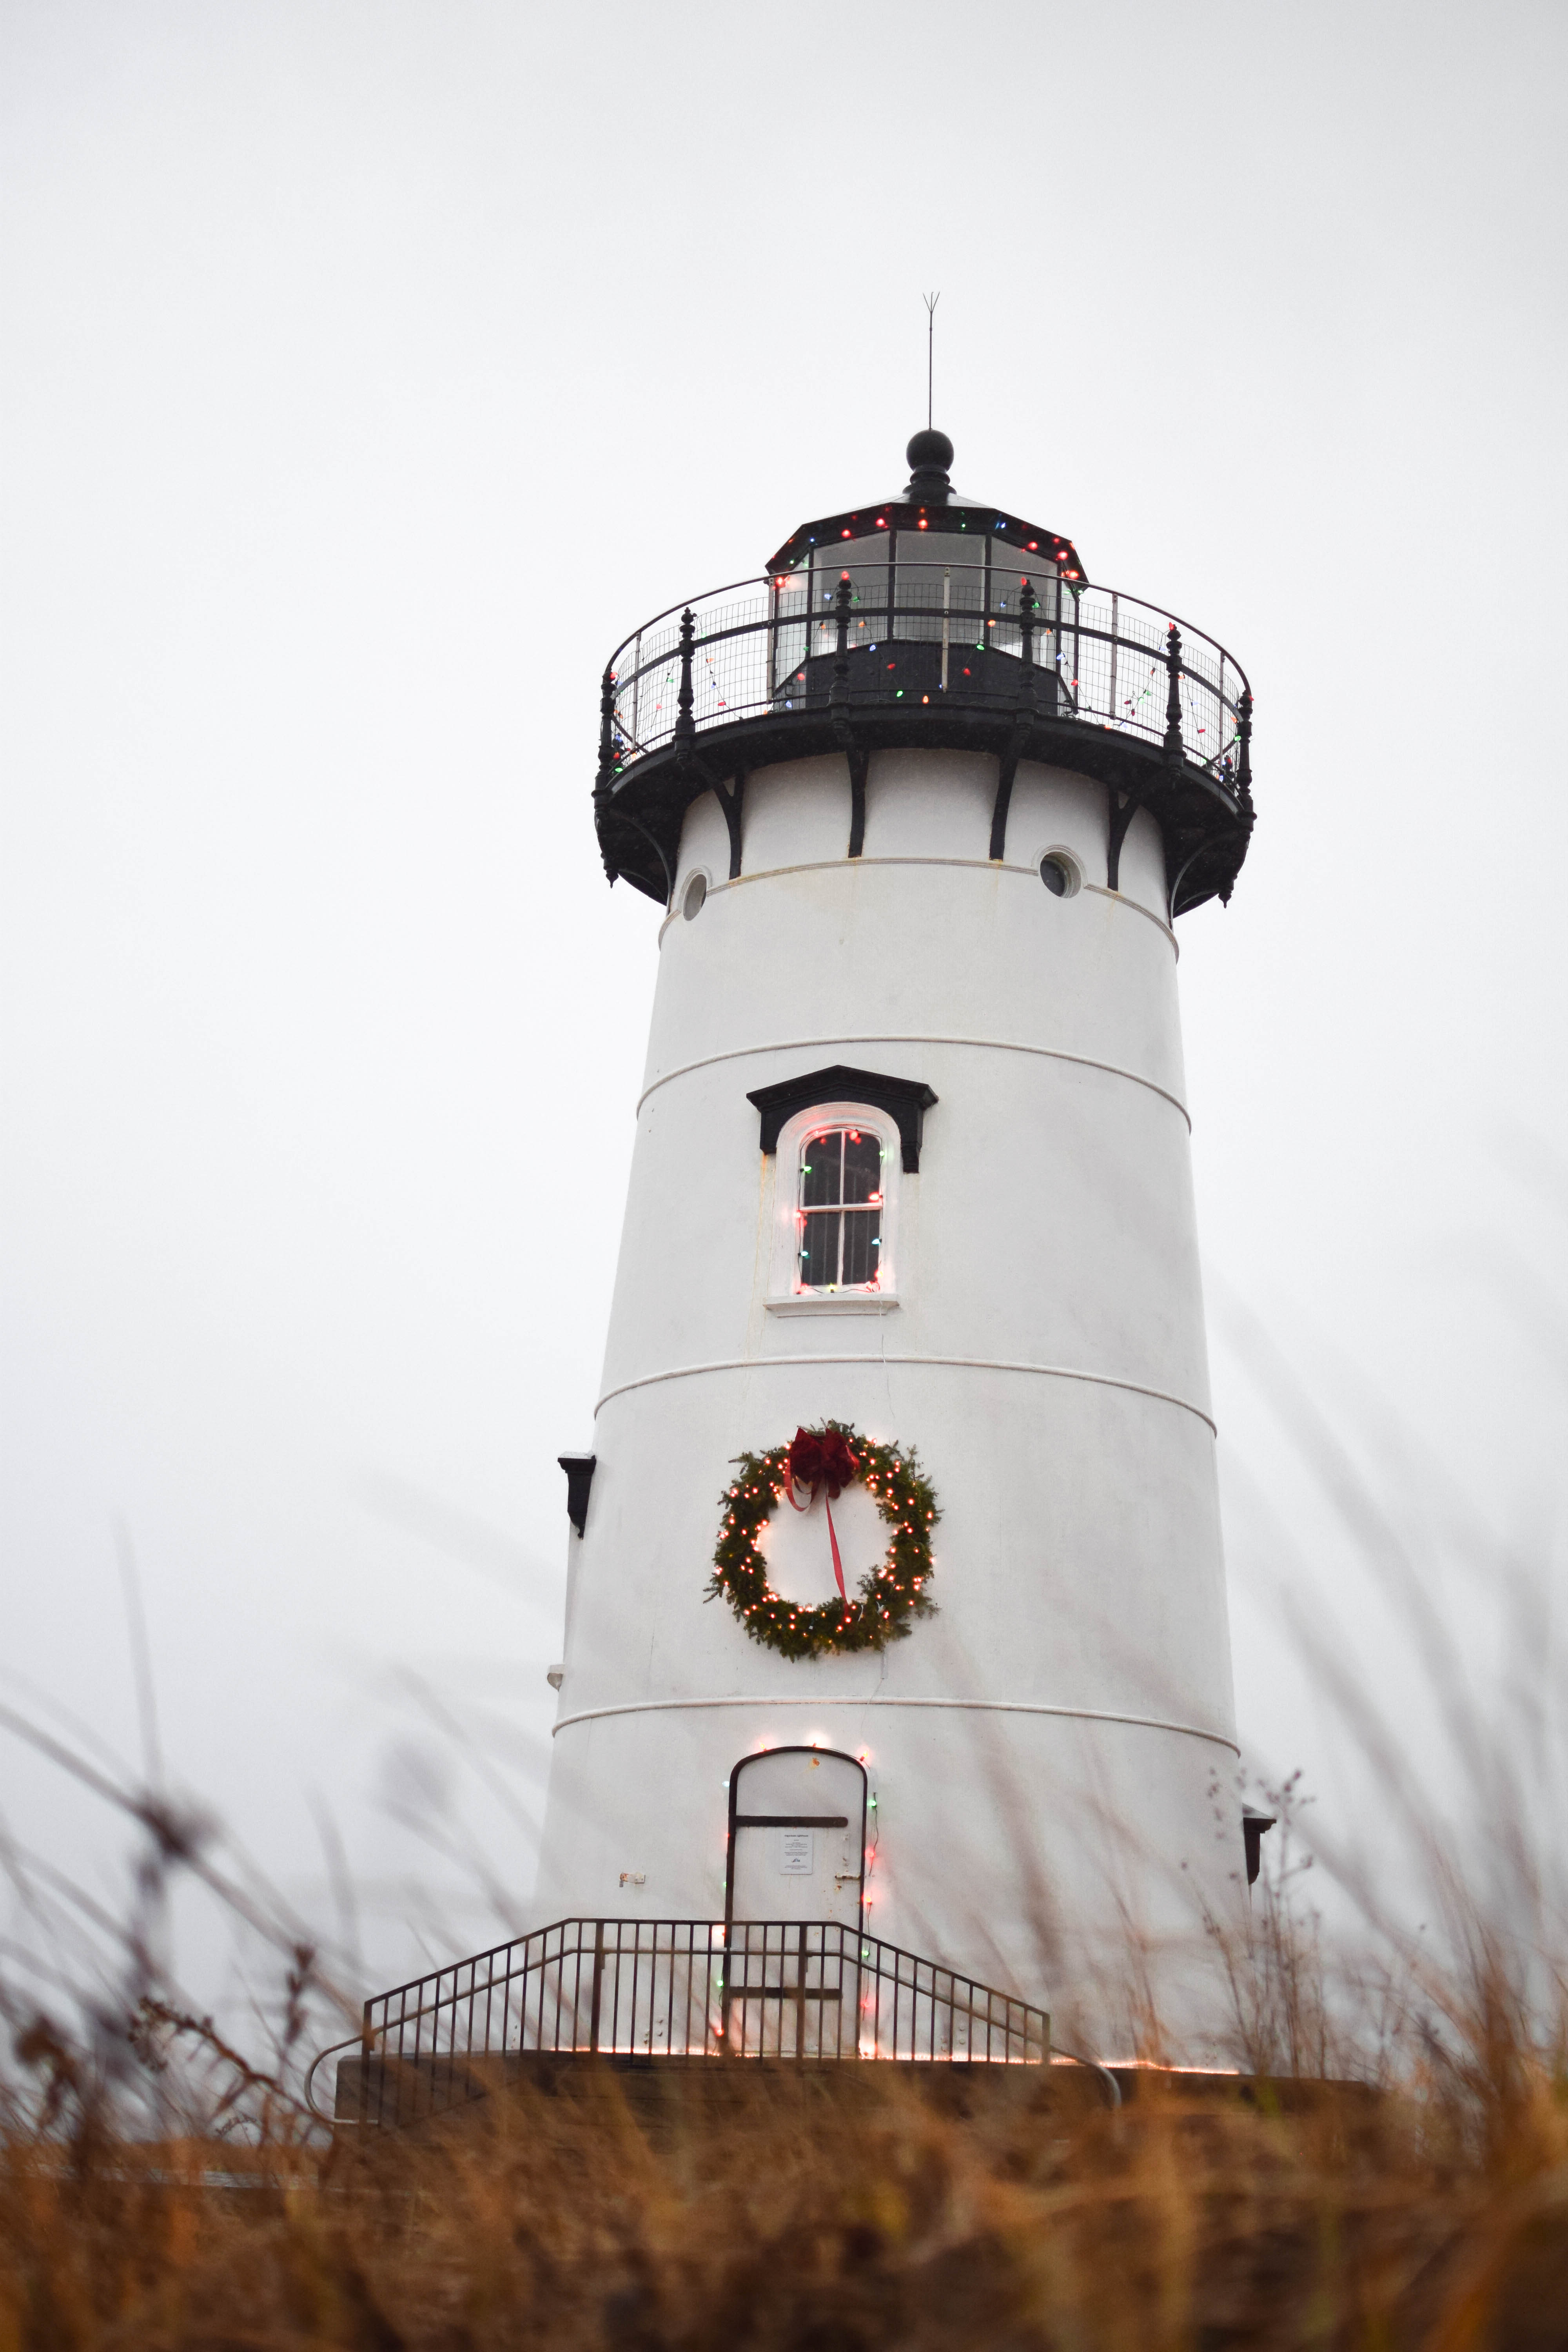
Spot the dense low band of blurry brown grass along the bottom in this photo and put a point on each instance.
(803, 2219)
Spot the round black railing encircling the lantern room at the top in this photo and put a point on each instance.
(923, 634)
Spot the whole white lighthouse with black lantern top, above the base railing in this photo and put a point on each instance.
(913, 1168)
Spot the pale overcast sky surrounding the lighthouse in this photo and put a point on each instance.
(370, 370)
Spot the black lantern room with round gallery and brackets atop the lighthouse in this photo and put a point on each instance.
(927, 622)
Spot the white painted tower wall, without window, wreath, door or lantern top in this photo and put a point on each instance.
(1054, 1753)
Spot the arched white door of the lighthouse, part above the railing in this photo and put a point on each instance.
(796, 1838)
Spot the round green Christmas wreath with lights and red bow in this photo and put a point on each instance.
(829, 1459)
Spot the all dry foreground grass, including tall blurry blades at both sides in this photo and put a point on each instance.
(163, 2189)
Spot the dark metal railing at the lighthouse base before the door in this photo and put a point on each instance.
(674, 1989)
